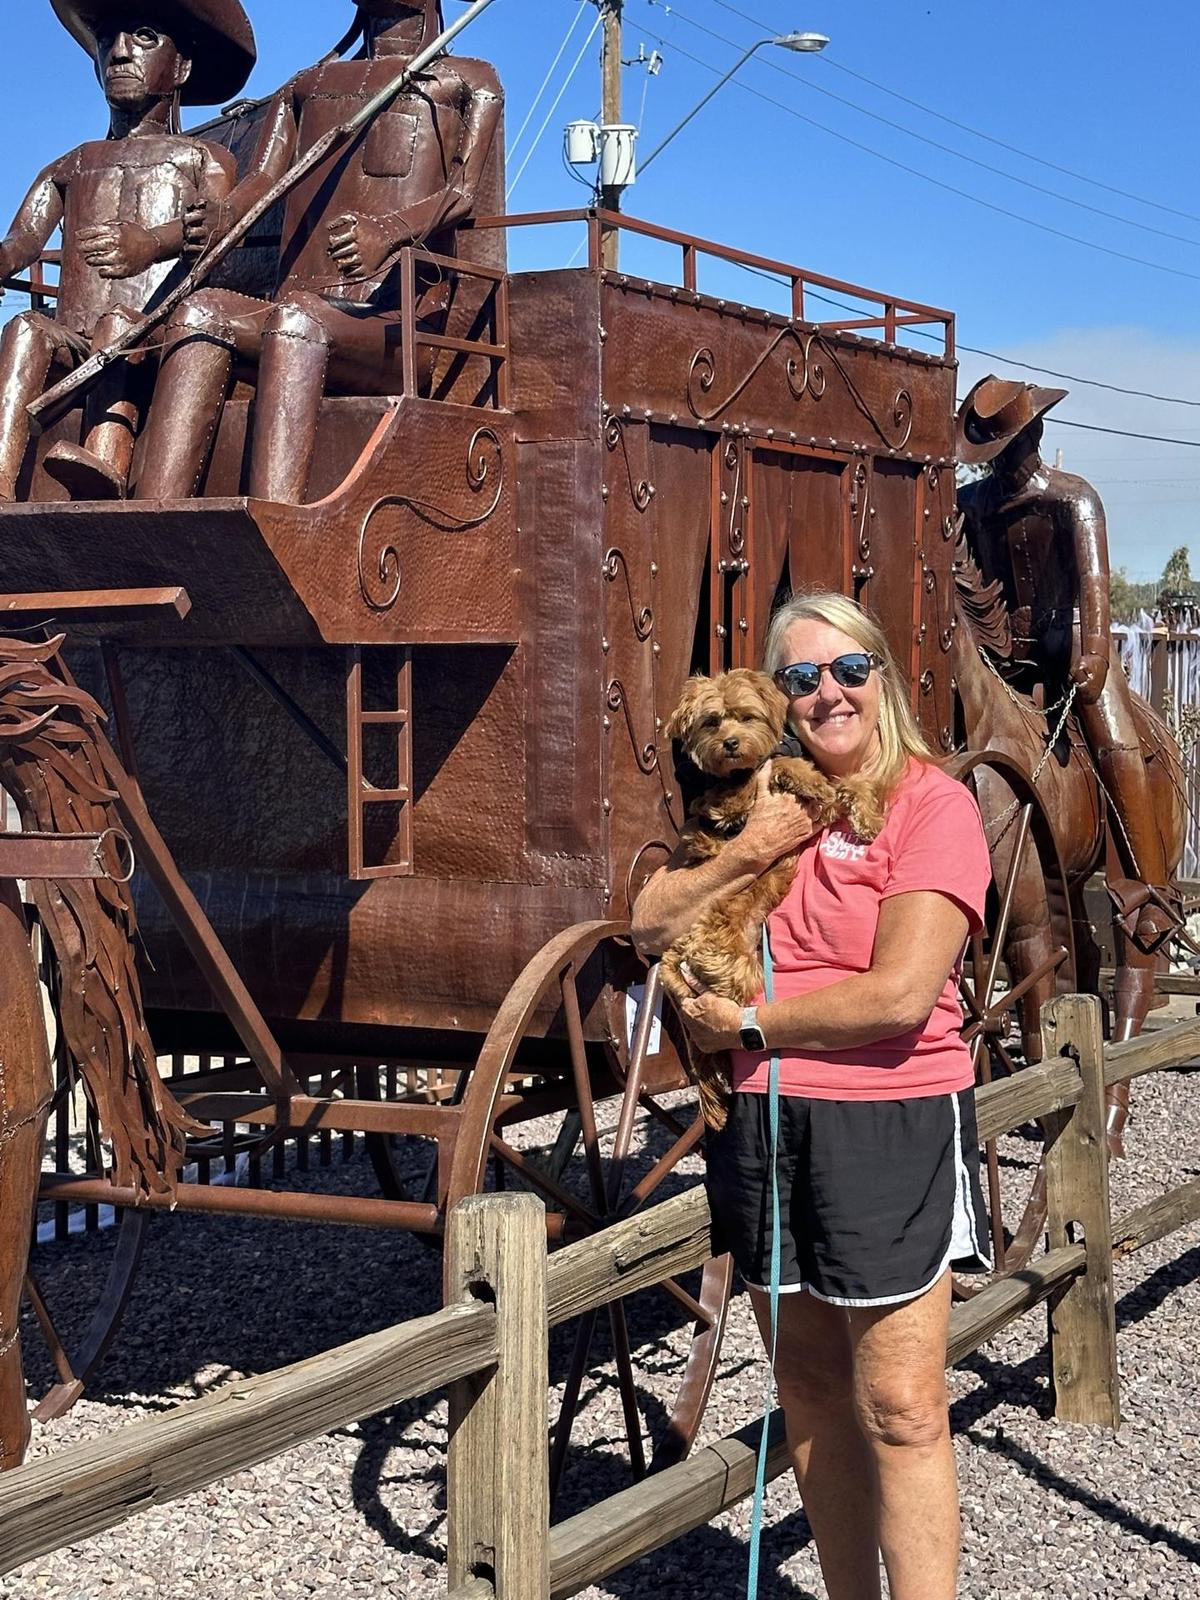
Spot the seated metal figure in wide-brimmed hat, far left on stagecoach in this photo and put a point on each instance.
(132, 209)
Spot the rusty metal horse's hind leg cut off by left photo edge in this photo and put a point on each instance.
(26, 1087)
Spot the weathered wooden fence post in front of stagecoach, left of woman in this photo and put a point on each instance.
(498, 1489)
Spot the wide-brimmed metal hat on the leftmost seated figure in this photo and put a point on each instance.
(215, 34)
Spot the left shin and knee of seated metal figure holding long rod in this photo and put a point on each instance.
(188, 401)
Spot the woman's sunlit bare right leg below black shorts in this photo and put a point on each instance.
(903, 1410)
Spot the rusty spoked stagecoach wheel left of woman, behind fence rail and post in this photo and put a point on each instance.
(564, 1103)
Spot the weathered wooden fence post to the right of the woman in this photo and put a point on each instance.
(1082, 1313)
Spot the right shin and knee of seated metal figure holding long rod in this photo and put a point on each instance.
(292, 386)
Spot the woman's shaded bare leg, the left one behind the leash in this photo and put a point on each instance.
(831, 1458)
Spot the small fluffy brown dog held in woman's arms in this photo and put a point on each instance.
(730, 727)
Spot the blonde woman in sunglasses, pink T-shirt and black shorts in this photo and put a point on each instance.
(878, 1158)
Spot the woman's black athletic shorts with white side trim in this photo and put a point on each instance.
(878, 1199)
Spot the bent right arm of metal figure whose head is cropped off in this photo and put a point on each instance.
(361, 244)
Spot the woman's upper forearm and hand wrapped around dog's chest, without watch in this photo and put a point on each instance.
(678, 897)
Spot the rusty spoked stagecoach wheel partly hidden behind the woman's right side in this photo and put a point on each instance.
(1006, 978)
